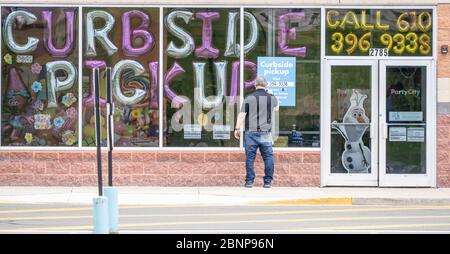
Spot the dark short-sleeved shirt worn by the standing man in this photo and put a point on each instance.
(258, 107)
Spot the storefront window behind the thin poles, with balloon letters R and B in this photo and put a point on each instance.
(127, 40)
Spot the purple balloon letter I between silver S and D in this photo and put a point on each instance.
(206, 50)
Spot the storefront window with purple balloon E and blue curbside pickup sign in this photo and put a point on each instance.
(283, 34)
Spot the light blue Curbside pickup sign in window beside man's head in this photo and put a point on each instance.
(279, 73)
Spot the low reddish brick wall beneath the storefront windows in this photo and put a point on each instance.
(161, 168)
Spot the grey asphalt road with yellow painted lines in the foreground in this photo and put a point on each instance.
(57, 218)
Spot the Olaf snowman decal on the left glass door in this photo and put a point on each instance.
(356, 156)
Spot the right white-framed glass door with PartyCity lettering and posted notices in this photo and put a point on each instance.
(406, 137)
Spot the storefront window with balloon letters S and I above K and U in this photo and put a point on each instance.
(201, 87)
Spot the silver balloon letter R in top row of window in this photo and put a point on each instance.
(100, 34)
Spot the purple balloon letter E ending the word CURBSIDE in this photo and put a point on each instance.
(285, 33)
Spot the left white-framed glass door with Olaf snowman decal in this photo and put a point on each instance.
(350, 119)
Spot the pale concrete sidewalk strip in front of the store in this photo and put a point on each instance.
(232, 195)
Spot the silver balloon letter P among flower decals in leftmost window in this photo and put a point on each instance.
(55, 84)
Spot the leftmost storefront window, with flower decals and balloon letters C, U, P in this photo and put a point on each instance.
(39, 76)
